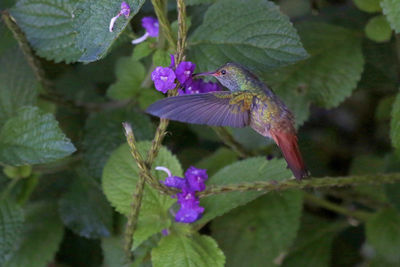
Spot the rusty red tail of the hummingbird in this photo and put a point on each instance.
(287, 142)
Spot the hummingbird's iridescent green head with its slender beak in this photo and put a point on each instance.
(233, 76)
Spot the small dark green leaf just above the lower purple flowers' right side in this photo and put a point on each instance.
(217, 160)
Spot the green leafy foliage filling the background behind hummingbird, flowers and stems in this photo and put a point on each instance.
(67, 175)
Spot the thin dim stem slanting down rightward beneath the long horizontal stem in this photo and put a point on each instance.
(359, 215)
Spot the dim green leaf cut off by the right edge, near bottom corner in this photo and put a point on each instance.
(383, 233)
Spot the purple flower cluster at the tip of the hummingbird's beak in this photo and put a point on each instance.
(184, 74)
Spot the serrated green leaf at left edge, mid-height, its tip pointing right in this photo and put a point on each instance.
(32, 137)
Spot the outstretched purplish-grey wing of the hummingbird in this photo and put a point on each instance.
(214, 109)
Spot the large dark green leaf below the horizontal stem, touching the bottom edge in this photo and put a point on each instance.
(256, 234)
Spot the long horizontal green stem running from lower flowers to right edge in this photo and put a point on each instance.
(306, 183)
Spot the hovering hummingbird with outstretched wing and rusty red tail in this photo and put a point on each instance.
(249, 102)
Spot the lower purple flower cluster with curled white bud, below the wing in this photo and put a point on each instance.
(190, 209)
